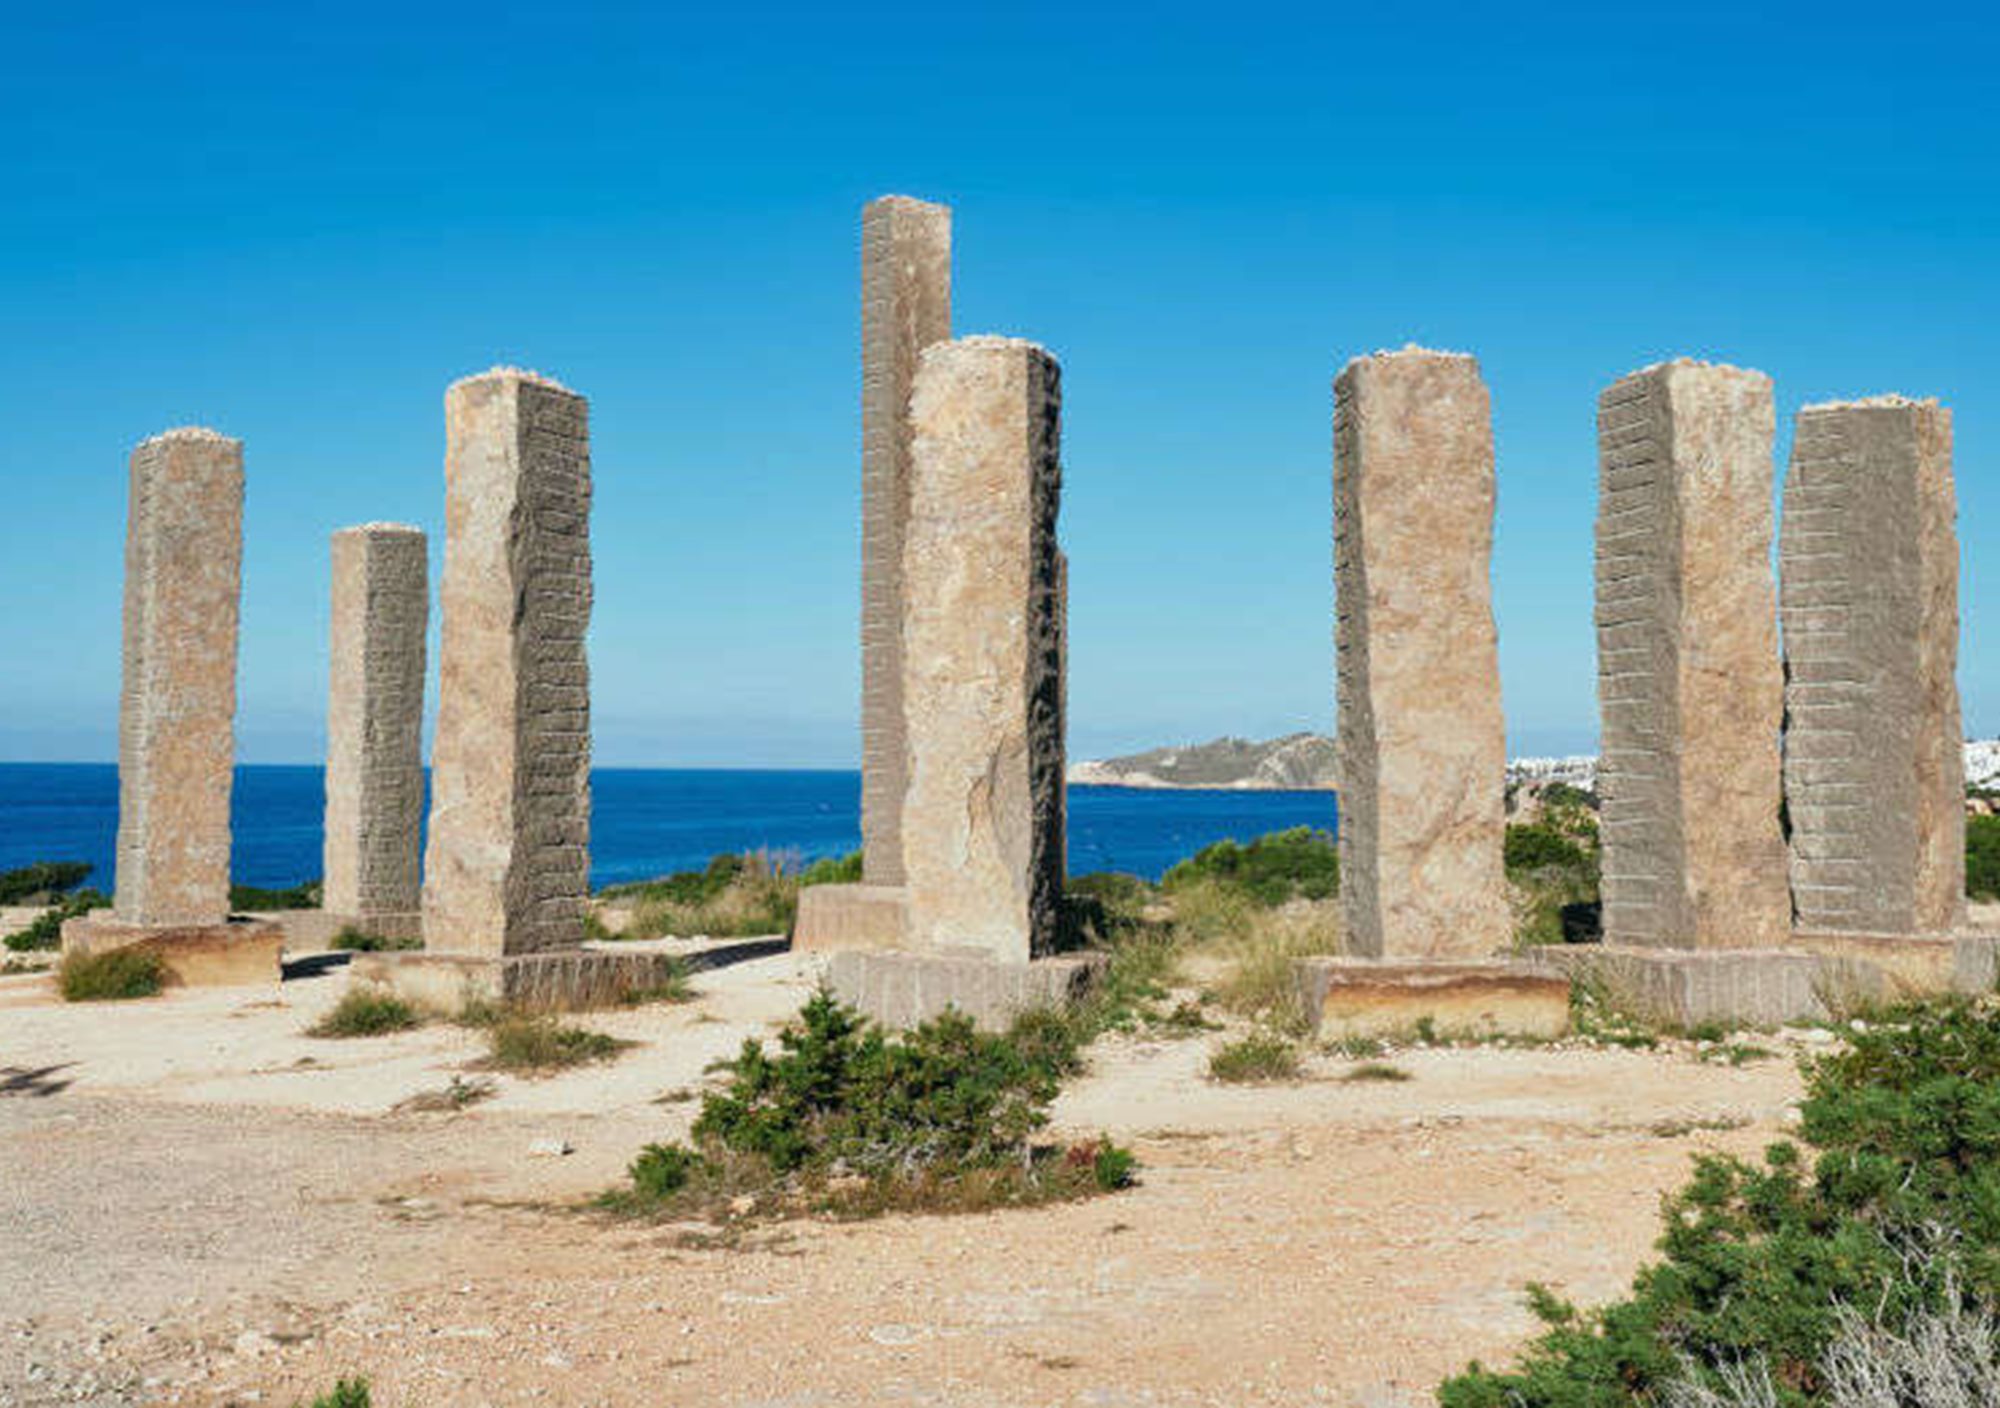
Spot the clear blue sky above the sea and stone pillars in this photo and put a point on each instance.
(301, 223)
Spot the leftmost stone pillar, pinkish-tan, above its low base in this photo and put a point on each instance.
(177, 737)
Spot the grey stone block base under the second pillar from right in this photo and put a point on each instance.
(1737, 987)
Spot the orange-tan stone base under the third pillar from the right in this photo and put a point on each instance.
(1373, 997)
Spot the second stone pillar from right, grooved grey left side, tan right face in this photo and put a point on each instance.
(1689, 661)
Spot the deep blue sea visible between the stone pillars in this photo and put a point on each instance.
(645, 821)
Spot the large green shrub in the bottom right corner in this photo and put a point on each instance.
(1893, 1211)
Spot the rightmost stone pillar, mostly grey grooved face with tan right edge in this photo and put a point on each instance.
(1873, 745)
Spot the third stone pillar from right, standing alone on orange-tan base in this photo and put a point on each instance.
(1423, 741)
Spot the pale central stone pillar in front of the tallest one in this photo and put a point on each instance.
(983, 651)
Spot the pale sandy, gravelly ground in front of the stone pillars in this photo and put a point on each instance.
(203, 1205)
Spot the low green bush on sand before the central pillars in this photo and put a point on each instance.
(855, 1121)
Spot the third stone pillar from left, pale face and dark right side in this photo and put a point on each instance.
(507, 869)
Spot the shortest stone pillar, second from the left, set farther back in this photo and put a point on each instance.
(375, 731)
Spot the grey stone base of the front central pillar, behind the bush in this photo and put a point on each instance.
(909, 989)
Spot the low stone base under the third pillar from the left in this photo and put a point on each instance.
(565, 981)
